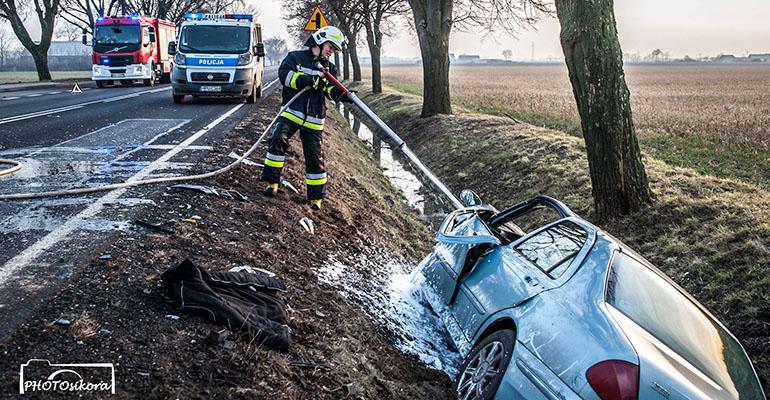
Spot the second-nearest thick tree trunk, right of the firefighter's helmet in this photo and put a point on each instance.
(433, 23)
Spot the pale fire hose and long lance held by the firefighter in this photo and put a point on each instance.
(172, 179)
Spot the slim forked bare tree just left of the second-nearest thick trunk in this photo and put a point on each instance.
(376, 13)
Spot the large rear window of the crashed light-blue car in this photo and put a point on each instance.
(662, 310)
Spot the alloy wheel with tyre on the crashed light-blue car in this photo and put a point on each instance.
(484, 367)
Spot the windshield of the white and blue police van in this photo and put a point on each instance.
(214, 39)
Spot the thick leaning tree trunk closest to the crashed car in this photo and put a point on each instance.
(589, 39)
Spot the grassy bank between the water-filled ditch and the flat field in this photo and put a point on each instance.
(711, 235)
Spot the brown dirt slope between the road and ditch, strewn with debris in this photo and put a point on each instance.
(120, 313)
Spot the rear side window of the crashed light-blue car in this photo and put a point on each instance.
(552, 249)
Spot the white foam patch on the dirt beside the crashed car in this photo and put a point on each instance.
(392, 296)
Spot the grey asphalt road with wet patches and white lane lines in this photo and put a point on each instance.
(100, 136)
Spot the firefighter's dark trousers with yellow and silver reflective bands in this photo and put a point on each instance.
(315, 175)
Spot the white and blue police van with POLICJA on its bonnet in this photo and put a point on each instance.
(218, 55)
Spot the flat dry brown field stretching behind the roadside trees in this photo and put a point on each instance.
(714, 119)
